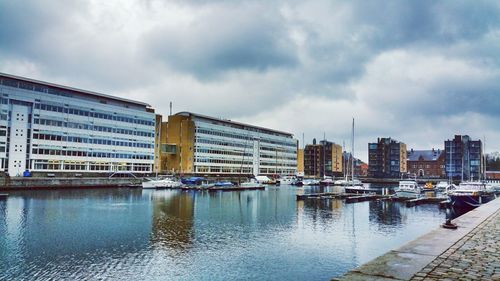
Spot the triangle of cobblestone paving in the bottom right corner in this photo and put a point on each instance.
(475, 257)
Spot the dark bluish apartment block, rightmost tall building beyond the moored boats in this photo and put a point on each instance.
(463, 158)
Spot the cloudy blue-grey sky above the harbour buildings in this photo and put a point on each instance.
(417, 71)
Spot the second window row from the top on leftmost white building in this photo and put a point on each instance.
(82, 112)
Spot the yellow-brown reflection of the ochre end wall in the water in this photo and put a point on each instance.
(172, 219)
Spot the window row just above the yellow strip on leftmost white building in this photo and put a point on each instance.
(97, 154)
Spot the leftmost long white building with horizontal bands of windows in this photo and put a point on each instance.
(52, 128)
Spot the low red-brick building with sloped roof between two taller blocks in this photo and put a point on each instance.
(426, 163)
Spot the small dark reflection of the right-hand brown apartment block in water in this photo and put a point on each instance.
(386, 213)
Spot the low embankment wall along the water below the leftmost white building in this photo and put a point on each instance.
(49, 183)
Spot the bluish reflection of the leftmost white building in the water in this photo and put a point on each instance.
(46, 227)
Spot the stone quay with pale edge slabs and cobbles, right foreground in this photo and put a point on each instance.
(470, 252)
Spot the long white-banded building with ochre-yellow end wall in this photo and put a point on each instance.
(203, 145)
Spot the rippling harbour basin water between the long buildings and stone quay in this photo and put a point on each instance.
(177, 235)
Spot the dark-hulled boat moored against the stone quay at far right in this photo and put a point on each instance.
(470, 194)
